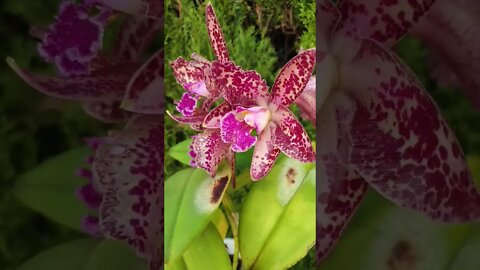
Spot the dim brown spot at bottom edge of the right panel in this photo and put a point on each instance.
(402, 257)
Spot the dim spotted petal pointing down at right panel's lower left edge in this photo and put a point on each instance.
(339, 193)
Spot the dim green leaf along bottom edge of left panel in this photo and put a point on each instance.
(87, 254)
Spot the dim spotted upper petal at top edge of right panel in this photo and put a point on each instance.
(384, 21)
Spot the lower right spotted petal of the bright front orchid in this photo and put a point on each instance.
(291, 138)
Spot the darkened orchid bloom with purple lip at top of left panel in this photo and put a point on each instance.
(109, 85)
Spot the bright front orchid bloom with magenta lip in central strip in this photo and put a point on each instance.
(254, 109)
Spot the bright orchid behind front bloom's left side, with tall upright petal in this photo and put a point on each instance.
(194, 76)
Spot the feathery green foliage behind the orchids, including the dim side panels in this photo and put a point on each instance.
(34, 128)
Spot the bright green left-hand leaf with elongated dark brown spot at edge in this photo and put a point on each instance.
(191, 197)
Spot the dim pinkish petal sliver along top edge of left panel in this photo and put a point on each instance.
(148, 8)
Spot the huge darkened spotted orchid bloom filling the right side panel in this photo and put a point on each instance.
(376, 125)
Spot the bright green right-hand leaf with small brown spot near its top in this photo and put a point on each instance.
(277, 221)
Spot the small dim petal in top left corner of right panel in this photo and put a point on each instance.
(328, 17)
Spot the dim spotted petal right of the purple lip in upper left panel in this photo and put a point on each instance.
(134, 36)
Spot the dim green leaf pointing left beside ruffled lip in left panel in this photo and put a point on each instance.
(50, 188)
